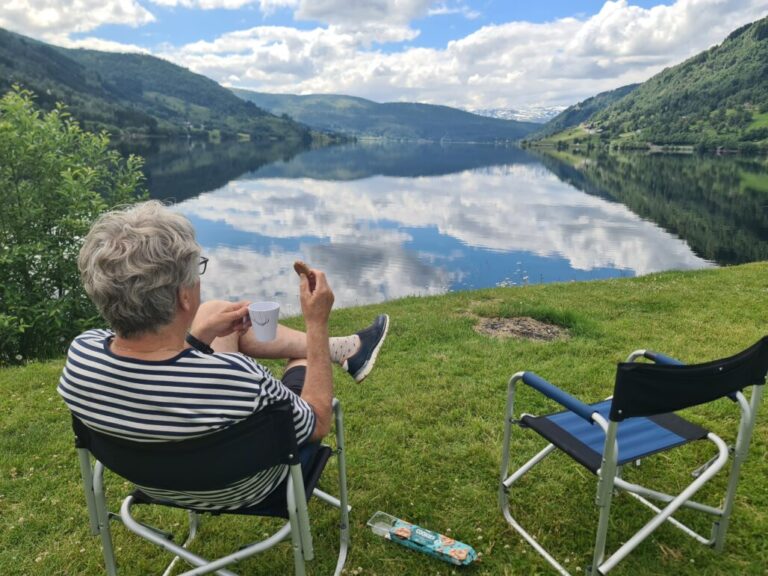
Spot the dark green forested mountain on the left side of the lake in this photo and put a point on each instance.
(133, 93)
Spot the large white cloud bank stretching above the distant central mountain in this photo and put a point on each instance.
(506, 65)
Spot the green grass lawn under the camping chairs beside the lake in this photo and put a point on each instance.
(424, 436)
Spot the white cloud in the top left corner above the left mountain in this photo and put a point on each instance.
(55, 21)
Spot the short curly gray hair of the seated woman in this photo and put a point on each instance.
(133, 263)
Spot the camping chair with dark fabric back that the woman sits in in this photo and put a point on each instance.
(261, 441)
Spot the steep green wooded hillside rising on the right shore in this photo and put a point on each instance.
(717, 99)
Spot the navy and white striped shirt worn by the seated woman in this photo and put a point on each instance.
(189, 395)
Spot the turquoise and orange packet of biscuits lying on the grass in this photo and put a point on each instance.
(422, 540)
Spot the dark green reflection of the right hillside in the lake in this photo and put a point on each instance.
(718, 204)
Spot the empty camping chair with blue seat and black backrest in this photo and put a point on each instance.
(637, 422)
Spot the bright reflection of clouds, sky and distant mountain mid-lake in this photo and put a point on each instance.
(451, 221)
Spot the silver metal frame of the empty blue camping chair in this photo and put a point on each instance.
(609, 473)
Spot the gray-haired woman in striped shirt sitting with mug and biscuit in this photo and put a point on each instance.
(172, 368)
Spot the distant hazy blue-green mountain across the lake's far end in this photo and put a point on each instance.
(395, 120)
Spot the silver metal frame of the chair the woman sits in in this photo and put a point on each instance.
(297, 526)
